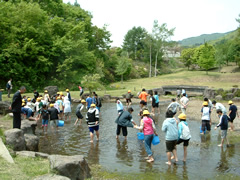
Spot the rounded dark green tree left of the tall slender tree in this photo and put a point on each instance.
(133, 42)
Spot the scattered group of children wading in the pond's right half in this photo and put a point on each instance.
(177, 131)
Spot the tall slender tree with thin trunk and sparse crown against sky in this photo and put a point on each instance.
(160, 34)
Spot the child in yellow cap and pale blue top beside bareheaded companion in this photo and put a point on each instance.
(183, 134)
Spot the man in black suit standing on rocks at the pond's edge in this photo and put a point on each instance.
(16, 107)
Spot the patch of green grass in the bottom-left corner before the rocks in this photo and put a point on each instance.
(24, 168)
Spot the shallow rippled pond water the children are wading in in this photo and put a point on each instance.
(205, 159)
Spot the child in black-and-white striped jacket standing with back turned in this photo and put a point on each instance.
(92, 118)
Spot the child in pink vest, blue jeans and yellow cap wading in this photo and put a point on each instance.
(149, 129)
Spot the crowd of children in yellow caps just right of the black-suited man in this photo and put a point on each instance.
(45, 108)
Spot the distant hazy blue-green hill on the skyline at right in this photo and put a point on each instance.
(196, 41)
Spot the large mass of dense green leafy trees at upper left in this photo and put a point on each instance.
(48, 42)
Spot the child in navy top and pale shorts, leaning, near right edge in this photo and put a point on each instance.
(224, 126)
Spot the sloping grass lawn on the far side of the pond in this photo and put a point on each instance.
(213, 80)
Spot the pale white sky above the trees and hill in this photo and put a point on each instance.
(189, 17)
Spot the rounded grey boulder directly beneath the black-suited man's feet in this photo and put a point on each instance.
(15, 139)
